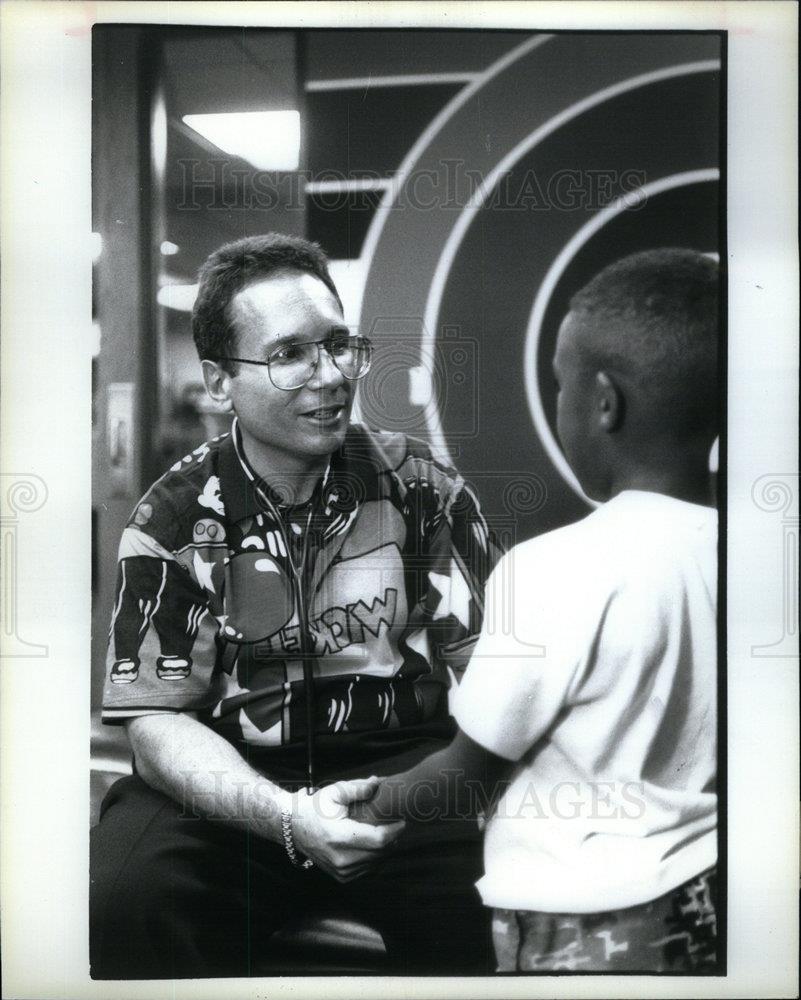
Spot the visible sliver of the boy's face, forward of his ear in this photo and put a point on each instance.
(574, 408)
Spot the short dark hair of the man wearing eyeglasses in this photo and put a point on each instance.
(235, 265)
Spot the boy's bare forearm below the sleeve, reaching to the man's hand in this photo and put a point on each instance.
(456, 783)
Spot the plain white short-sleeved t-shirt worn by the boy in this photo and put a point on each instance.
(596, 670)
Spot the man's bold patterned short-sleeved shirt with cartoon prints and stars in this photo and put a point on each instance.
(384, 569)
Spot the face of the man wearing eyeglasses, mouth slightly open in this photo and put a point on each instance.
(284, 428)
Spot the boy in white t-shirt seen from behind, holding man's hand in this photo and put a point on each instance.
(598, 708)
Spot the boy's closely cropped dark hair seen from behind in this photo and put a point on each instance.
(652, 318)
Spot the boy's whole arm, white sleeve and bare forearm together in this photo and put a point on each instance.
(514, 689)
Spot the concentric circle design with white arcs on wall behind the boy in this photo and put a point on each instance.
(587, 148)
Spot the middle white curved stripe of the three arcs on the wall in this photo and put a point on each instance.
(472, 208)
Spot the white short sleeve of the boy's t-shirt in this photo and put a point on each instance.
(527, 656)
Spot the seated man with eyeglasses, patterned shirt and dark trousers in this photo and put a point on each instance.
(294, 599)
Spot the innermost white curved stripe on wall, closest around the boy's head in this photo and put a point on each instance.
(546, 290)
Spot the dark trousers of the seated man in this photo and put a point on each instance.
(180, 897)
